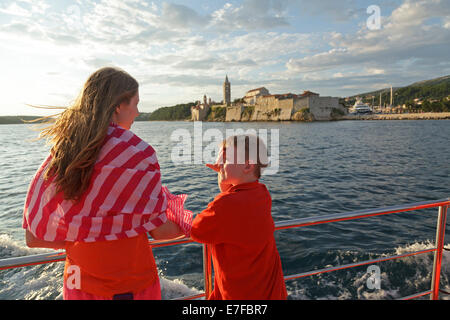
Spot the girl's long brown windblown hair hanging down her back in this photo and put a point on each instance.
(78, 134)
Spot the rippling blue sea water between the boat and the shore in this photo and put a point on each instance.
(324, 168)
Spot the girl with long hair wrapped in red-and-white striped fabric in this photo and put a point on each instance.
(98, 194)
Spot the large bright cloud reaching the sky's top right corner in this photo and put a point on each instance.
(404, 35)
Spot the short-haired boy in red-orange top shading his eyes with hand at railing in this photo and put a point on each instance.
(239, 227)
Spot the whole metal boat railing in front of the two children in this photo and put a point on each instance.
(297, 223)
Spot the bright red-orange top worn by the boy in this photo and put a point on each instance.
(239, 226)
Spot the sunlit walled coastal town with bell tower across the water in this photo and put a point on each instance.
(260, 105)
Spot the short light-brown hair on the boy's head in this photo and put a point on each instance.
(255, 150)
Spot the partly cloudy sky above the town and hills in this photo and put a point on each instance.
(179, 51)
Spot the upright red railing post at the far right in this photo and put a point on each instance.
(440, 235)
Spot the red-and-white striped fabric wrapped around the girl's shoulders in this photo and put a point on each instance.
(125, 197)
